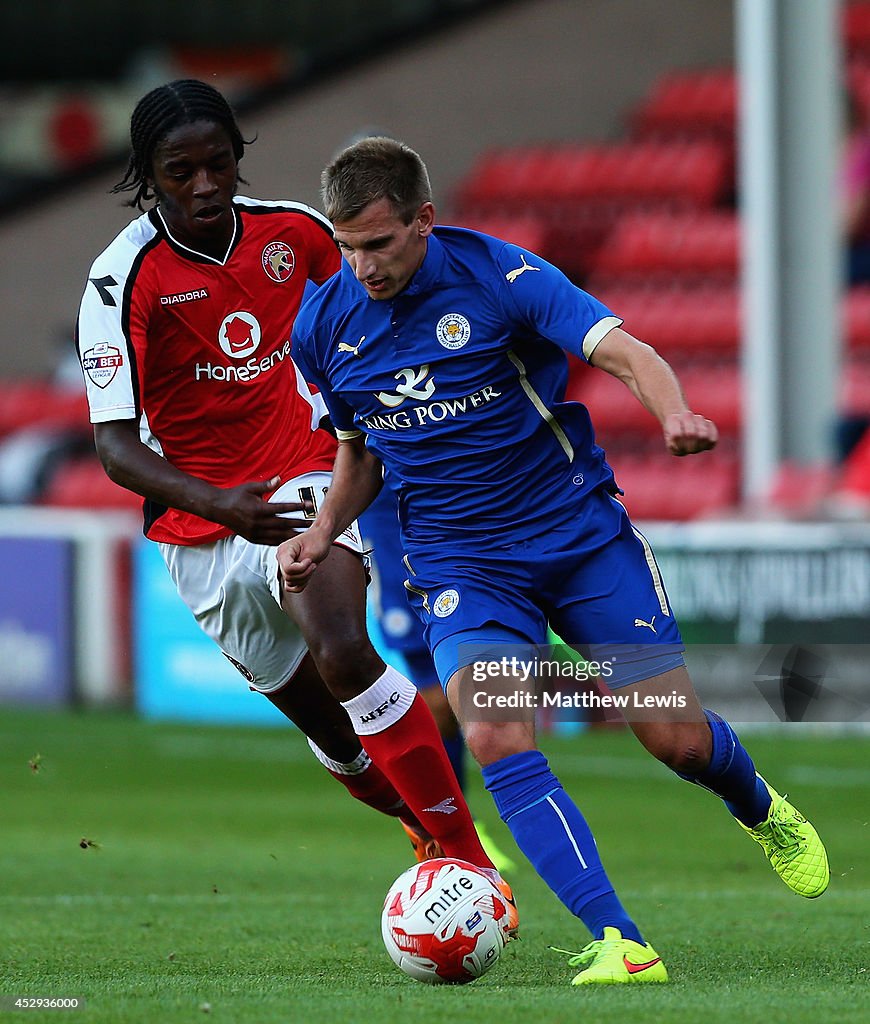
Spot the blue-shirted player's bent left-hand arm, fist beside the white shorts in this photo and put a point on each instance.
(358, 479)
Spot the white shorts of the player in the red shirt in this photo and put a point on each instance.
(233, 588)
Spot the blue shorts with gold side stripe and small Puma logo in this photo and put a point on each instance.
(595, 580)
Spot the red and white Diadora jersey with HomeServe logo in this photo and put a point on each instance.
(198, 350)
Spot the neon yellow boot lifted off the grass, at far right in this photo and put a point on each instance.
(793, 846)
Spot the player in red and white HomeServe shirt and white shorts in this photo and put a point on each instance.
(184, 334)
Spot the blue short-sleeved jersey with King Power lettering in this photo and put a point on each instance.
(459, 386)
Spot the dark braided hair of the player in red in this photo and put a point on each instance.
(162, 111)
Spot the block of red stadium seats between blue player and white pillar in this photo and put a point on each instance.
(648, 225)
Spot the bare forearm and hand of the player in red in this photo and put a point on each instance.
(134, 465)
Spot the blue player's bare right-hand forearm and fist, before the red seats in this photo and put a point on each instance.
(656, 386)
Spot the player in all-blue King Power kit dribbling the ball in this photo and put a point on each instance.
(440, 353)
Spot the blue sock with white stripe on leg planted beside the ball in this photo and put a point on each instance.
(554, 836)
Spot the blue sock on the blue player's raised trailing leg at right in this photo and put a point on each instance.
(731, 775)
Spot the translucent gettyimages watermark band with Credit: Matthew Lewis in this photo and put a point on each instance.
(754, 682)
